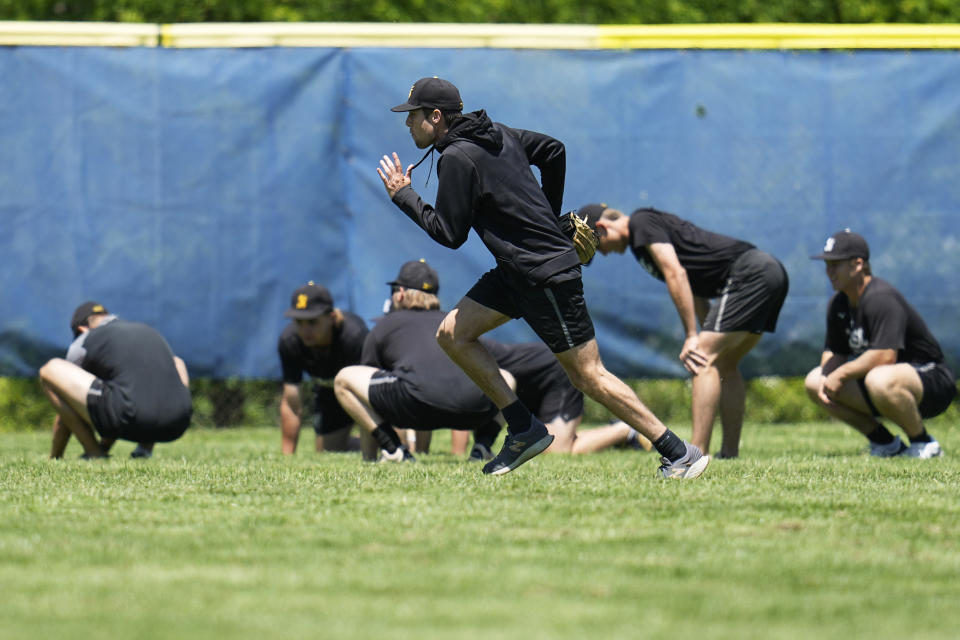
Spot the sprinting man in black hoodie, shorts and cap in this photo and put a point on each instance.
(485, 183)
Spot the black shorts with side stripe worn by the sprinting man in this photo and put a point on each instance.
(556, 312)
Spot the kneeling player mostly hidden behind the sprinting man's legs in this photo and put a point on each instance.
(544, 388)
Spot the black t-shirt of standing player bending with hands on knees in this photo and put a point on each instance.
(706, 256)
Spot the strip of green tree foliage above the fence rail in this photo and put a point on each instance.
(482, 11)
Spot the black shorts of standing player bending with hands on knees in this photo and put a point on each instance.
(752, 297)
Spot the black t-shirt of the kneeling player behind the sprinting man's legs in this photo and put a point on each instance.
(533, 365)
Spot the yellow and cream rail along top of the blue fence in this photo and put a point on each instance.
(510, 36)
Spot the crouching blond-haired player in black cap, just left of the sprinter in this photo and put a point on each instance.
(406, 380)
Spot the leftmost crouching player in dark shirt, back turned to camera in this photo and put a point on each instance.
(120, 380)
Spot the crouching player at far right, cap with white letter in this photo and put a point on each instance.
(879, 358)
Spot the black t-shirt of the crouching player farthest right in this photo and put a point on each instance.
(882, 320)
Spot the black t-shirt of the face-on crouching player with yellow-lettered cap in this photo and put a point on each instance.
(321, 363)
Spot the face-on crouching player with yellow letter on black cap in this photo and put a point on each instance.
(320, 340)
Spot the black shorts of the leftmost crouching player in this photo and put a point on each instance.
(115, 417)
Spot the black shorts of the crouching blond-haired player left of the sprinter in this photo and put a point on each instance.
(390, 397)
